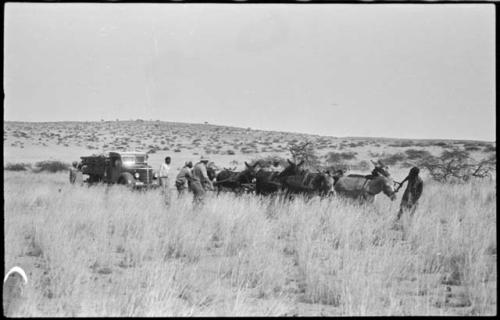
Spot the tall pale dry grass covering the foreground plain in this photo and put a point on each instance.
(112, 252)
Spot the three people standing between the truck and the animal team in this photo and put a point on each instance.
(194, 178)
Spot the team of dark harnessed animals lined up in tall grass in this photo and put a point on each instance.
(294, 179)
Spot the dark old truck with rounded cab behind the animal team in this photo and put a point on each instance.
(126, 168)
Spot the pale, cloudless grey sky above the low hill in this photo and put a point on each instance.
(423, 71)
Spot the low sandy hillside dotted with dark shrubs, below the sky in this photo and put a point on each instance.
(225, 145)
